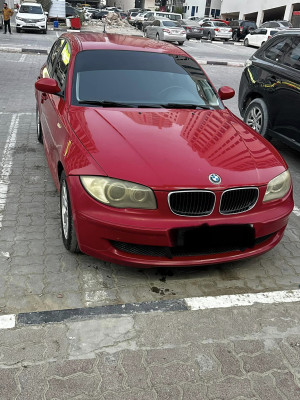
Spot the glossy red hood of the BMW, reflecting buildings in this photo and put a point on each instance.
(173, 149)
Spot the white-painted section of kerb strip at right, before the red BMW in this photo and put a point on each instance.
(248, 299)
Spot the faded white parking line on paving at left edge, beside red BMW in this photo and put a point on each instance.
(6, 163)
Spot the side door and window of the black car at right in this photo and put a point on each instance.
(284, 90)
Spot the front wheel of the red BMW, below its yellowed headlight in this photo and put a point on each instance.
(66, 218)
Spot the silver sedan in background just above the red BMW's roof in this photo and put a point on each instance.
(165, 29)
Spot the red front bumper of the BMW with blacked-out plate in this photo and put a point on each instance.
(148, 238)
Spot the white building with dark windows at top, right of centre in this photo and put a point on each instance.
(202, 8)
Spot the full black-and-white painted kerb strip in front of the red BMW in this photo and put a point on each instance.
(11, 321)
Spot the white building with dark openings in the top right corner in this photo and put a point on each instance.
(260, 11)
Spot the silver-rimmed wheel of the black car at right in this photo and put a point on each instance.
(257, 117)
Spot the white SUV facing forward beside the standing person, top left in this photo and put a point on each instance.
(31, 16)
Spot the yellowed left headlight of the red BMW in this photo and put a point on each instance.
(118, 193)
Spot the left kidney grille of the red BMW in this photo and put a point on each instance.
(192, 203)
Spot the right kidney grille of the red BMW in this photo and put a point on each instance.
(240, 200)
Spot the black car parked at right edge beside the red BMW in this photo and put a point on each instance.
(269, 93)
